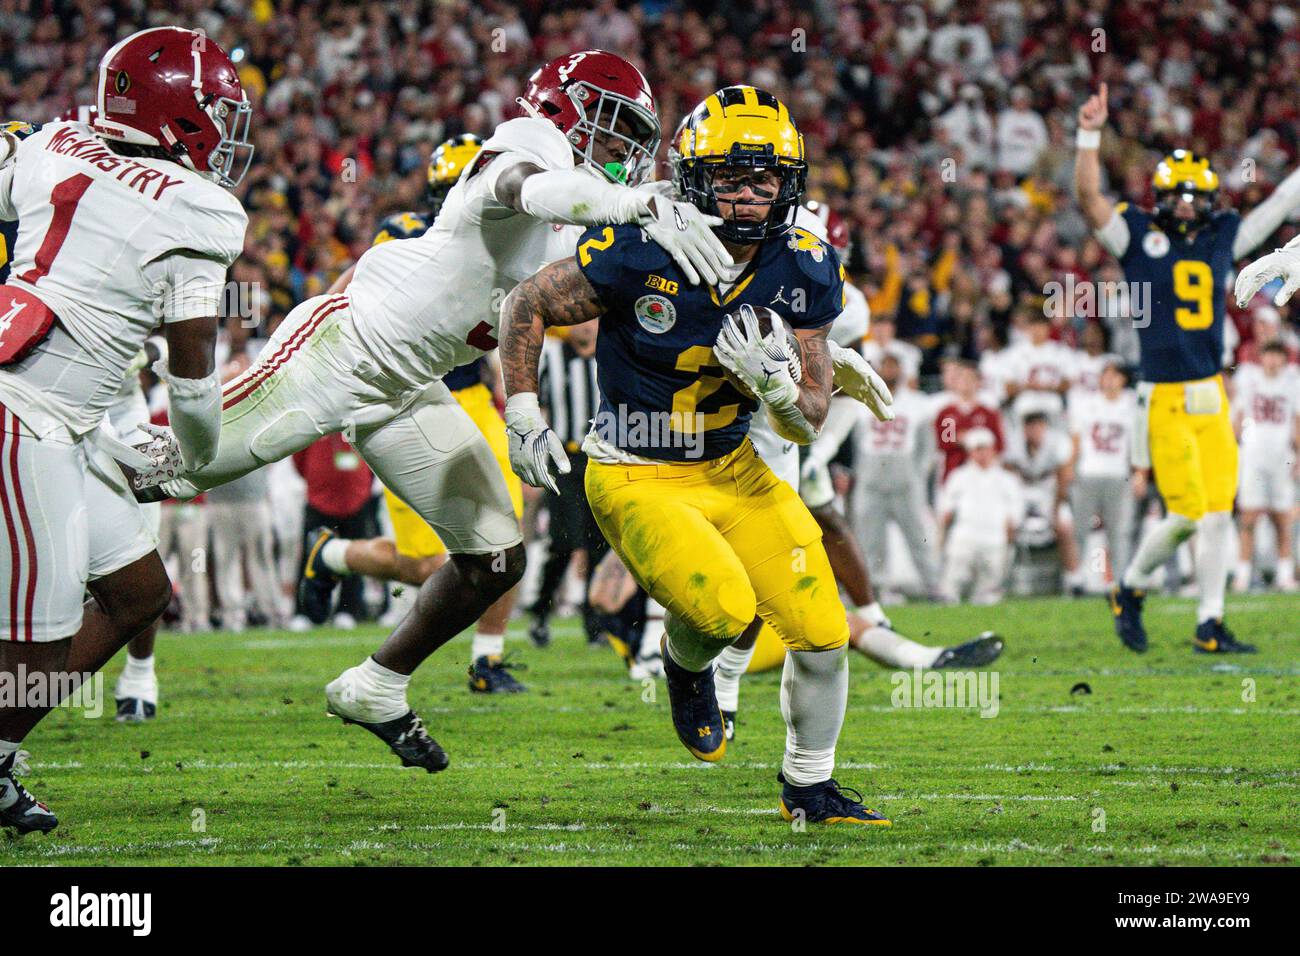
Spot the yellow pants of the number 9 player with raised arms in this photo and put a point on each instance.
(1193, 453)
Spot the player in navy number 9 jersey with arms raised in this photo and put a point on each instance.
(1181, 253)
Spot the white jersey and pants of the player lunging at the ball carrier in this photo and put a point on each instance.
(369, 362)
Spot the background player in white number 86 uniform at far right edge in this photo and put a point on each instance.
(1268, 423)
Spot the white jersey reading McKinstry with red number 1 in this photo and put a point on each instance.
(114, 246)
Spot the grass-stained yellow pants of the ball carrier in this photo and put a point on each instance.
(720, 542)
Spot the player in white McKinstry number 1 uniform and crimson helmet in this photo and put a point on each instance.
(122, 226)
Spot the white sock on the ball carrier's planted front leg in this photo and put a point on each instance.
(814, 695)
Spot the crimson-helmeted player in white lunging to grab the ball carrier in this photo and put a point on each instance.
(369, 362)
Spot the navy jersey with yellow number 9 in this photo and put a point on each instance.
(1184, 289)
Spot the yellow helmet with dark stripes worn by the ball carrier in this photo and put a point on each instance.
(742, 128)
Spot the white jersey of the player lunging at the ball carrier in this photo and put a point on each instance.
(427, 305)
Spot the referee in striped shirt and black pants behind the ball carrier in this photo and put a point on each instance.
(567, 388)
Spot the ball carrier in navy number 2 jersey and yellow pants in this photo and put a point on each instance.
(673, 479)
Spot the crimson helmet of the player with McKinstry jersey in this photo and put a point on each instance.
(177, 90)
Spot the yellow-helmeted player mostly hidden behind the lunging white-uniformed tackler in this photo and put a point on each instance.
(415, 551)
